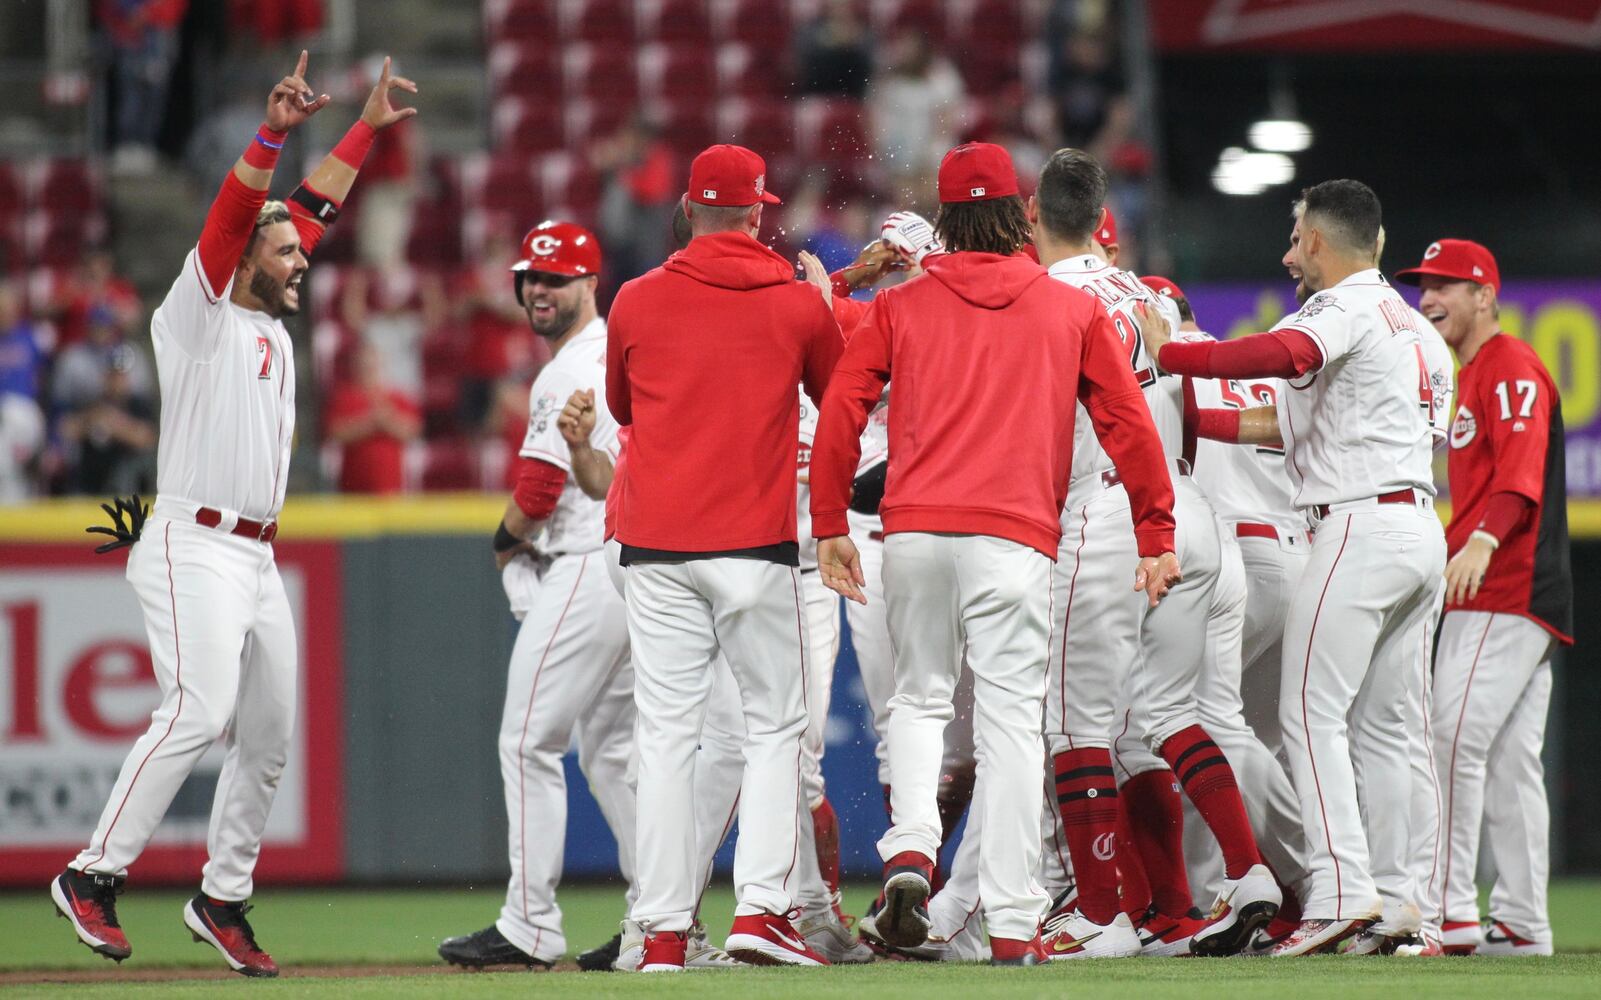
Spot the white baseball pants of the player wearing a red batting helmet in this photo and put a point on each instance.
(569, 676)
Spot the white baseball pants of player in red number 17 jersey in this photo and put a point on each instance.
(1493, 690)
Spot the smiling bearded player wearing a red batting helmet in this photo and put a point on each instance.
(569, 666)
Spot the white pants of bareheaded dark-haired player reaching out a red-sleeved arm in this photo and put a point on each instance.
(1350, 644)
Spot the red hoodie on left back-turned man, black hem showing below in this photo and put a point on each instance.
(704, 358)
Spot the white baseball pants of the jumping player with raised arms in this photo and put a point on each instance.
(225, 655)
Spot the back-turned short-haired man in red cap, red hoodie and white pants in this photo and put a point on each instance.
(707, 526)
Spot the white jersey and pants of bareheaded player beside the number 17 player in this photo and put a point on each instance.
(1358, 455)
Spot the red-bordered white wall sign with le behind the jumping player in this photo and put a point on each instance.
(78, 689)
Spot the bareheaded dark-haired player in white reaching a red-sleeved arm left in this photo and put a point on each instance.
(1357, 428)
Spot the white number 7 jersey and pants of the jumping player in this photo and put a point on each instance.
(222, 636)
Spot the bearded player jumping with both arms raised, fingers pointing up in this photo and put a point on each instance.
(222, 636)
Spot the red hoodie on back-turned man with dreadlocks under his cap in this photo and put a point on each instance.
(989, 358)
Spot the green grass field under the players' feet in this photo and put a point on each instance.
(323, 937)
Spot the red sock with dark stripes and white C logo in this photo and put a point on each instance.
(1088, 801)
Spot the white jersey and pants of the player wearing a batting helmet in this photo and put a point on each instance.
(569, 668)
